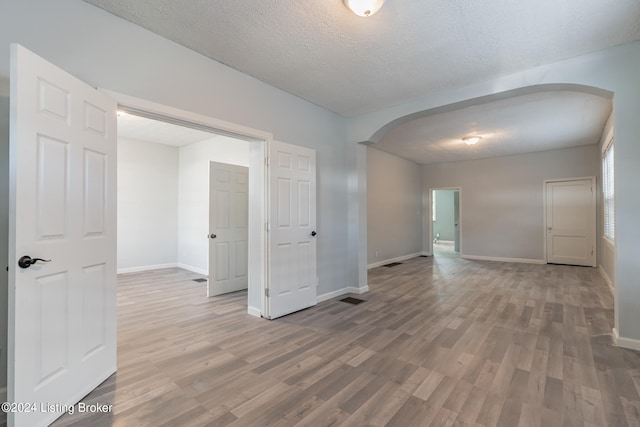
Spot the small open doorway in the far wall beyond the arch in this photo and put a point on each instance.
(444, 229)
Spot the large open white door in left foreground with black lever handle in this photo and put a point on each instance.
(62, 313)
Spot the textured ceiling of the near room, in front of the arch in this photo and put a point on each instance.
(320, 51)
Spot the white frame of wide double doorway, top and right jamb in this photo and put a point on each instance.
(258, 141)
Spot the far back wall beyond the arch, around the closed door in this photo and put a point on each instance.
(501, 202)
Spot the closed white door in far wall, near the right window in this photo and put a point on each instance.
(571, 222)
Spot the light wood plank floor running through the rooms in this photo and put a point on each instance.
(438, 342)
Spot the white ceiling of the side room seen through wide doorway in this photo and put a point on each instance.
(149, 130)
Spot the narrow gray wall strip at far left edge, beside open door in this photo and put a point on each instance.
(4, 233)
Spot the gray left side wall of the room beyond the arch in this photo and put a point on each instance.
(394, 207)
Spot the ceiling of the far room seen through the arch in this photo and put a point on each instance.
(520, 124)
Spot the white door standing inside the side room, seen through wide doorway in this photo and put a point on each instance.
(228, 228)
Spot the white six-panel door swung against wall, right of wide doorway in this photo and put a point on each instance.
(292, 279)
